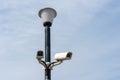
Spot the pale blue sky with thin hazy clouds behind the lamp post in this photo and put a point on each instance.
(88, 28)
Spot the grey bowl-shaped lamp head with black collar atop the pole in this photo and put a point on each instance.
(47, 15)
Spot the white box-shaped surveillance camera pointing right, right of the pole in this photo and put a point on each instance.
(63, 56)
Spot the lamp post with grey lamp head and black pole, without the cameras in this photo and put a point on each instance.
(47, 15)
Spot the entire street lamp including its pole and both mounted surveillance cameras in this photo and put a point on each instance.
(47, 15)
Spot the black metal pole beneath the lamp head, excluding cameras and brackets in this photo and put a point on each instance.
(47, 52)
